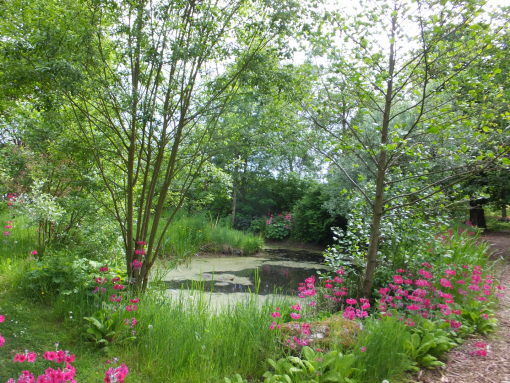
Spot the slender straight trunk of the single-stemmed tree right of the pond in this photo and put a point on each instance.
(377, 207)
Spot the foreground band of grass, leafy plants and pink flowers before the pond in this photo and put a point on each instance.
(166, 339)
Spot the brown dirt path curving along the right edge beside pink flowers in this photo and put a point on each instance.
(462, 367)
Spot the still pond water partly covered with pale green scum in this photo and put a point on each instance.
(279, 270)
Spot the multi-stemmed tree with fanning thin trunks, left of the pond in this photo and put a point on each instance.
(157, 78)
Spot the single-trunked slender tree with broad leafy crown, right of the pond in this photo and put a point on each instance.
(389, 101)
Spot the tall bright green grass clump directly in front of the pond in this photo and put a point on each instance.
(185, 340)
